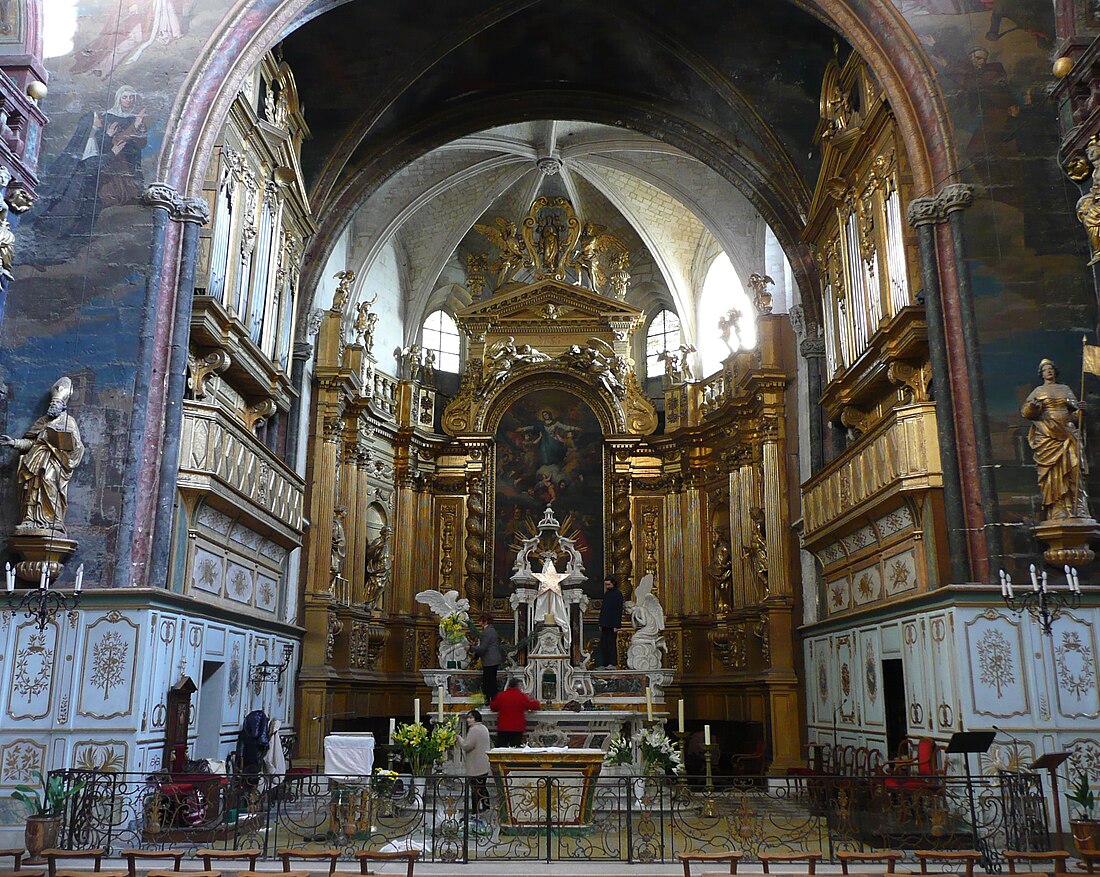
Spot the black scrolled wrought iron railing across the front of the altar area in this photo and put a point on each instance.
(629, 819)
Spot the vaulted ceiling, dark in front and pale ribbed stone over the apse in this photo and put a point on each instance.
(685, 128)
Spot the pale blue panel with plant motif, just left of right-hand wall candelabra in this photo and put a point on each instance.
(995, 649)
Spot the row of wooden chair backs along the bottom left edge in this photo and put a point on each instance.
(211, 860)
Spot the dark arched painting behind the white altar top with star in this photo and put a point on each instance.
(549, 452)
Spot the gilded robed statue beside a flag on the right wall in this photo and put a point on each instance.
(1057, 444)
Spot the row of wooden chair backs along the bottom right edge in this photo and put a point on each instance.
(932, 861)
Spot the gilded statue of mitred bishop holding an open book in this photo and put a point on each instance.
(50, 452)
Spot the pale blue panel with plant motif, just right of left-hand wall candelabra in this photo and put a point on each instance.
(107, 681)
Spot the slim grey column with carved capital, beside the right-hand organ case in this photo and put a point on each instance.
(923, 215)
